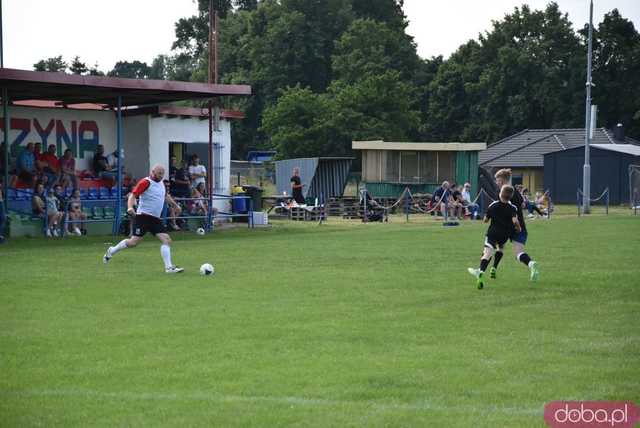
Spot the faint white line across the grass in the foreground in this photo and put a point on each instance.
(302, 401)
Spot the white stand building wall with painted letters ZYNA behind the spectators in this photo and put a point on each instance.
(150, 135)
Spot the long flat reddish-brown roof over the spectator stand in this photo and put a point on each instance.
(76, 89)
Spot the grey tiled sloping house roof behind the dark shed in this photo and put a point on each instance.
(527, 148)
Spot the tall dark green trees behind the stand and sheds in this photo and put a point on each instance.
(327, 72)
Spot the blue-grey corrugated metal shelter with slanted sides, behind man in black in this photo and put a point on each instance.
(326, 176)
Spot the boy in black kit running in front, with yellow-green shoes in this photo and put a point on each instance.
(504, 225)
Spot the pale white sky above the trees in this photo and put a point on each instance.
(105, 32)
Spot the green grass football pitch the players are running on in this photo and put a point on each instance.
(344, 324)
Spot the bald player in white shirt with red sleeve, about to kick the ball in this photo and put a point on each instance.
(151, 195)
